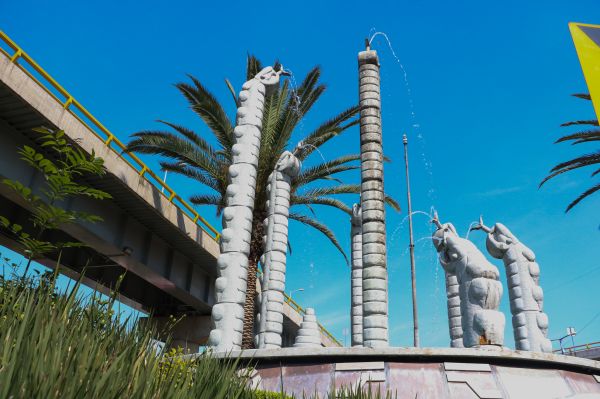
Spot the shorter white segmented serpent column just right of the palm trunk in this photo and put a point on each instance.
(275, 253)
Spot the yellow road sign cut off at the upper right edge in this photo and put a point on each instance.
(587, 43)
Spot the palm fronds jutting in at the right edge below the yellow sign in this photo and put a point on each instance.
(593, 158)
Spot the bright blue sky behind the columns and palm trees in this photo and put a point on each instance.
(487, 85)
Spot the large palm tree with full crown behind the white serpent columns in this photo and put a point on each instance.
(191, 155)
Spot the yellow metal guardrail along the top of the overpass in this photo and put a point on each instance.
(71, 104)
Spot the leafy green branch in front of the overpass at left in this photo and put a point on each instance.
(62, 173)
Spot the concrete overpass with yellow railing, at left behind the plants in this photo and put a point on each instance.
(168, 250)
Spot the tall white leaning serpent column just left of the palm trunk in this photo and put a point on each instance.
(232, 265)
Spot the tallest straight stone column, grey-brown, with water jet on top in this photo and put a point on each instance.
(375, 294)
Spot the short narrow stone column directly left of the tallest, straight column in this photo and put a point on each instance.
(356, 278)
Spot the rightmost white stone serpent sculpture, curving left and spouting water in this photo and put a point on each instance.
(530, 323)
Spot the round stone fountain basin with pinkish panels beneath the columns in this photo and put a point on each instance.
(424, 372)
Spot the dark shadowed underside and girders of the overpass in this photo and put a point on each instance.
(159, 277)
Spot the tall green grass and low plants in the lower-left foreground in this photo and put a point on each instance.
(65, 345)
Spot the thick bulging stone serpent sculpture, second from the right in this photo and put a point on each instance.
(478, 287)
